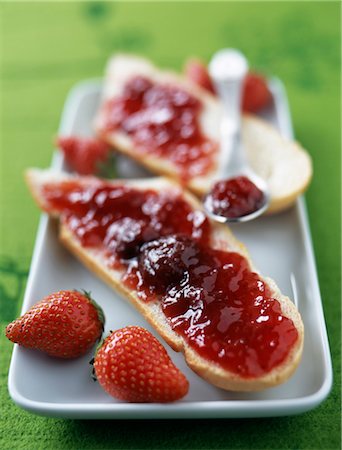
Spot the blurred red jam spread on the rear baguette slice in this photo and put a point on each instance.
(163, 120)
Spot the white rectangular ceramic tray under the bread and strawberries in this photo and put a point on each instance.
(281, 248)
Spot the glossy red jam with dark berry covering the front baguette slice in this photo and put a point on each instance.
(210, 297)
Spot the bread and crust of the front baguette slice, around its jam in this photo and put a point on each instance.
(220, 238)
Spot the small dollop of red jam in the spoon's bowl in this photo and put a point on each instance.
(235, 197)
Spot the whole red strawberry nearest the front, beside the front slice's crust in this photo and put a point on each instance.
(132, 365)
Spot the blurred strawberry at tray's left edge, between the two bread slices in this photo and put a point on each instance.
(87, 156)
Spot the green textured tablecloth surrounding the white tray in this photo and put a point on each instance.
(46, 47)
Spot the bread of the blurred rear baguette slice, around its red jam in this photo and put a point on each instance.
(282, 163)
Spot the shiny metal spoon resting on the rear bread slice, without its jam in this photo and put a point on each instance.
(228, 69)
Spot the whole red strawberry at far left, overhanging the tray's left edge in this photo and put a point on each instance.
(64, 324)
